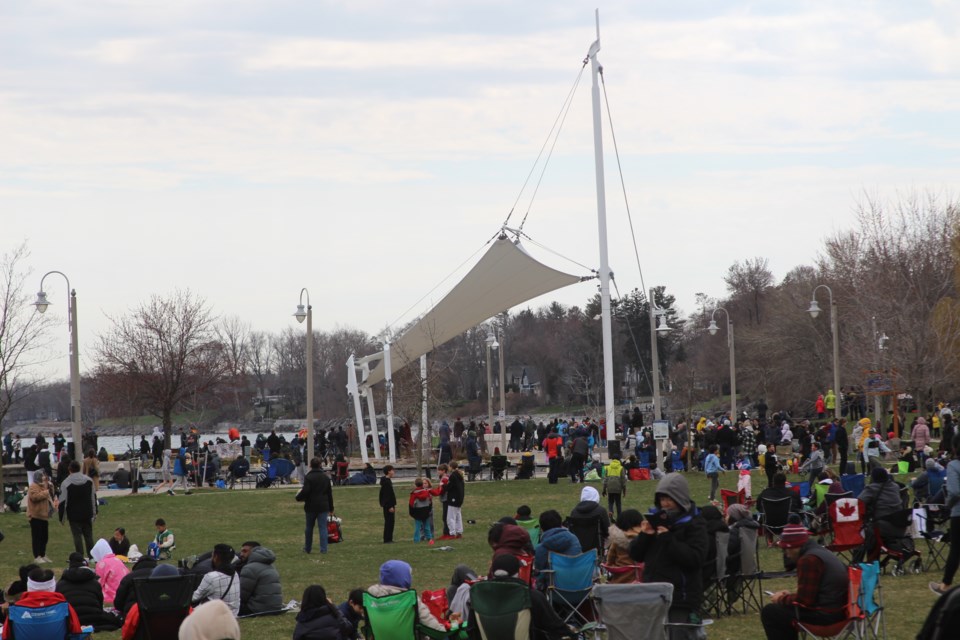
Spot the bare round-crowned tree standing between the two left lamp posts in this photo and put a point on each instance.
(165, 352)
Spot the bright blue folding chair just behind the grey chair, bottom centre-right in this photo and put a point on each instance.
(569, 580)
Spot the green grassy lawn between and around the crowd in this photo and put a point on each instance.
(273, 518)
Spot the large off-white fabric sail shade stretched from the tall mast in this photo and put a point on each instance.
(504, 277)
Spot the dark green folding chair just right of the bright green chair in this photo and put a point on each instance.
(501, 609)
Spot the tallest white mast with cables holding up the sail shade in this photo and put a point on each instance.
(610, 408)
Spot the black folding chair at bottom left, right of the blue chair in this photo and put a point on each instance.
(163, 604)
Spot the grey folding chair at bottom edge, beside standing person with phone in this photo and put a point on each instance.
(634, 611)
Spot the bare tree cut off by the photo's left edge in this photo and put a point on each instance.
(21, 335)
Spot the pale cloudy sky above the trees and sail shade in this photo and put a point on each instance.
(367, 150)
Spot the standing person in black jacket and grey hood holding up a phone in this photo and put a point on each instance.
(672, 544)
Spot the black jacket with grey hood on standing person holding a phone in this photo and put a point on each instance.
(676, 556)
